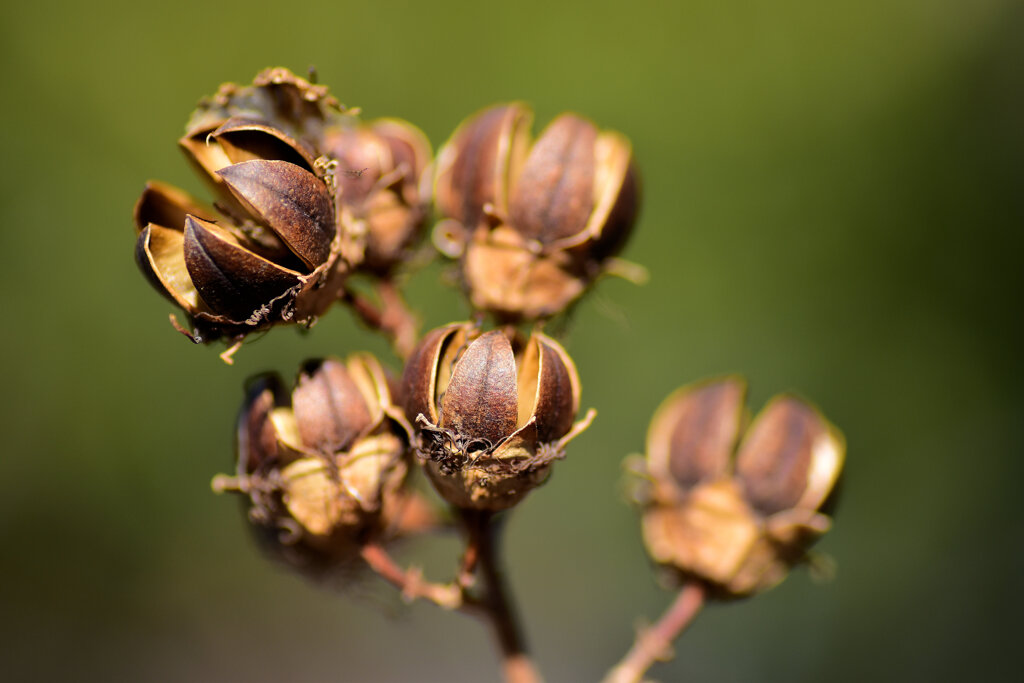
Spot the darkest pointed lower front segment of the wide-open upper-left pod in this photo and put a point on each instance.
(232, 280)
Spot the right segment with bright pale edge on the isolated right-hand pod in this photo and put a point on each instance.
(790, 458)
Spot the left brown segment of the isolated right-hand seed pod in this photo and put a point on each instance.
(695, 433)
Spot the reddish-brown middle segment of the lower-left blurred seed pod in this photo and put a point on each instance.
(330, 410)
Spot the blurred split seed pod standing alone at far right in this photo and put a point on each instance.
(737, 508)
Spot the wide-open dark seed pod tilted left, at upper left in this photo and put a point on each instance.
(268, 250)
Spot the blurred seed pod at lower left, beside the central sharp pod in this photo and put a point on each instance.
(322, 469)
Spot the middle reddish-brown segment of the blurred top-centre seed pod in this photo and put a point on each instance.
(553, 197)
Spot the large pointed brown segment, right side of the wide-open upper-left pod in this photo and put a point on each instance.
(292, 201)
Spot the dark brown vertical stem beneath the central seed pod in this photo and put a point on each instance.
(497, 605)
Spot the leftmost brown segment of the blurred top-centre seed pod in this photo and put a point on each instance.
(475, 166)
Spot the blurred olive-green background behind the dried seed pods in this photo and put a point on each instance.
(833, 205)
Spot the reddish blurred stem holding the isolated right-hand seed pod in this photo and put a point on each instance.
(655, 644)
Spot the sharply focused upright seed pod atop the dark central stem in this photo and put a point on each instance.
(491, 413)
